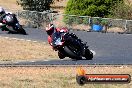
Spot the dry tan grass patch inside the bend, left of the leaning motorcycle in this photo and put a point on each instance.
(11, 50)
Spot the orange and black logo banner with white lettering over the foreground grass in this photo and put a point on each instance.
(83, 78)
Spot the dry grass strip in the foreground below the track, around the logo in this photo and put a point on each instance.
(55, 77)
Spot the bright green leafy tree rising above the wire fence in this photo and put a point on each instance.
(98, 8)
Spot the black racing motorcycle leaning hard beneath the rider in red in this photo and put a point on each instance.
(69, 45)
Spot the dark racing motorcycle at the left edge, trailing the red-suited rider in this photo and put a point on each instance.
(11, 24)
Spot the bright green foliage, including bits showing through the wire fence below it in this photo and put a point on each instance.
(94, 8)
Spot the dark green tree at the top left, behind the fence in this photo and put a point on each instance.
(35, 5)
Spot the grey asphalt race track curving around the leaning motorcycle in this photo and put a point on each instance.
(110, 48)
